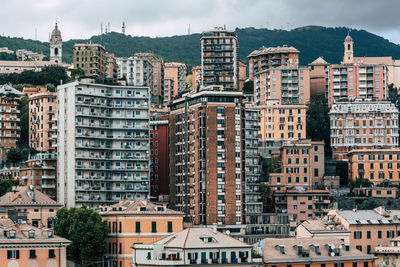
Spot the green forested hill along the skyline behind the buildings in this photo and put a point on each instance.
(312, 41)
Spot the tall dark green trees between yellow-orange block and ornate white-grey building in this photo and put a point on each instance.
(318, 125)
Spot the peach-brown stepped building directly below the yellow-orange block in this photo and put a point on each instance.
(301, 163)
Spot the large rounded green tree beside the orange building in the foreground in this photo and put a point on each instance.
(87, 232)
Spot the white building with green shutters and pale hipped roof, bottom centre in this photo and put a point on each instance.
(195, 246)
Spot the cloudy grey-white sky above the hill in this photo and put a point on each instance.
(83, 18)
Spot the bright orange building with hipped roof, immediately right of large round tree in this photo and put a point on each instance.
(137, 222)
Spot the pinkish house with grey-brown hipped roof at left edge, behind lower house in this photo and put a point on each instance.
(39, 208)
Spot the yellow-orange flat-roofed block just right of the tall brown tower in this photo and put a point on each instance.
(278, 123)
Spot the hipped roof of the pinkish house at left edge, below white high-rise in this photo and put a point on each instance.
(26, 196)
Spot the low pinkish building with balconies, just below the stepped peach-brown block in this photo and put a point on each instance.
(303, 203)
